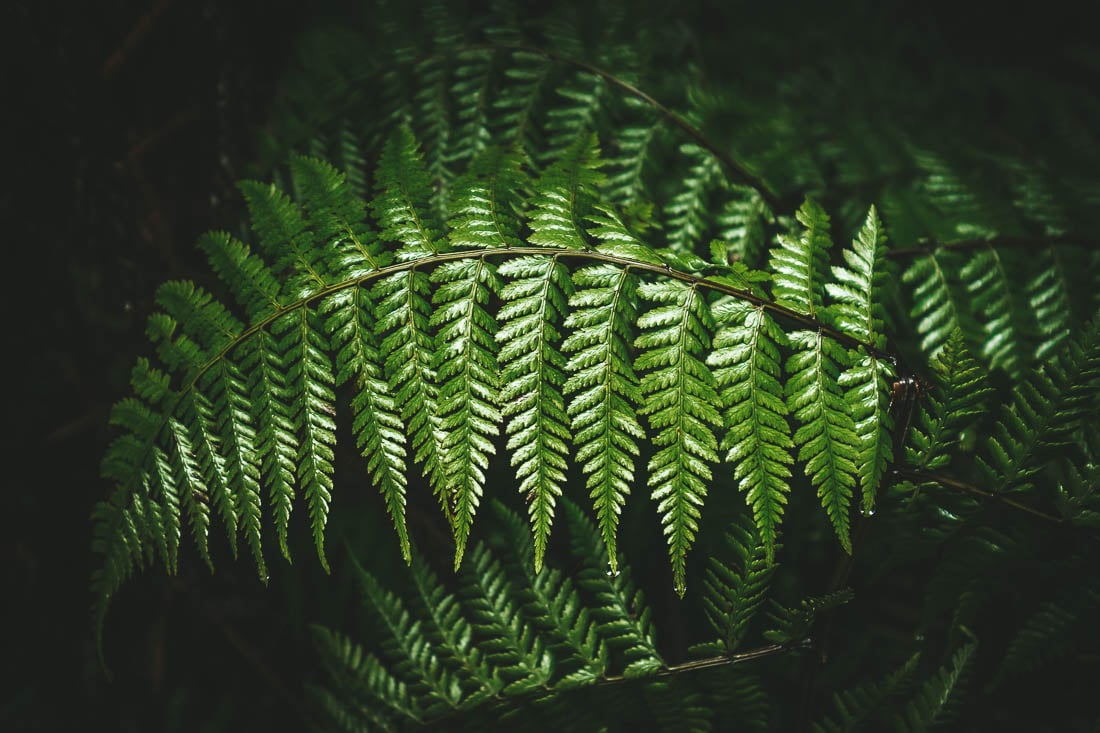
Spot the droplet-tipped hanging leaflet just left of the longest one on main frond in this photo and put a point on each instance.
(606, 389)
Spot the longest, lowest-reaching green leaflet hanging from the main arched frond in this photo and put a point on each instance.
(683, 404)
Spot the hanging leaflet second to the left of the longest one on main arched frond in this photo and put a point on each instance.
(535, 302)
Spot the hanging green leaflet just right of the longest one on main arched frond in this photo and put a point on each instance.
(746, 365)
